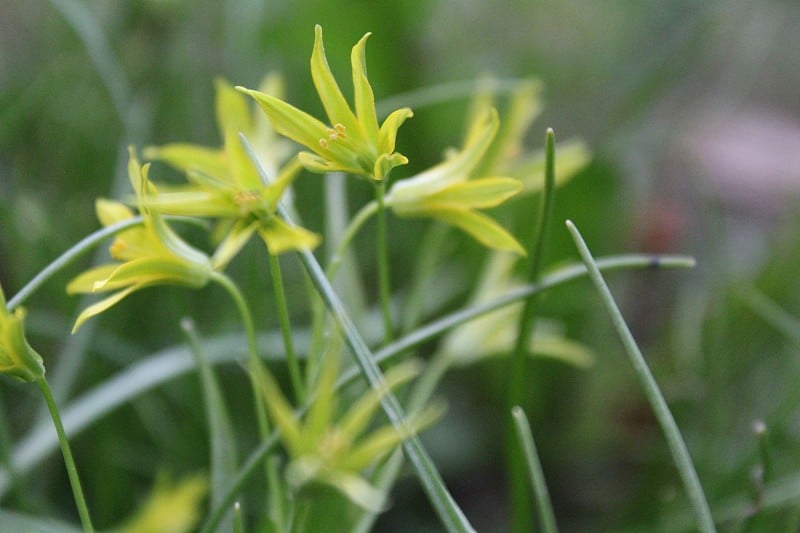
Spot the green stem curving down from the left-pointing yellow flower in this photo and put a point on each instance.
(256, 370)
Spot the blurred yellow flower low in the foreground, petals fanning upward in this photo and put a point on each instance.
(332, 452)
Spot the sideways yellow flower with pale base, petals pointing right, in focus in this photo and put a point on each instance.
(446, 192)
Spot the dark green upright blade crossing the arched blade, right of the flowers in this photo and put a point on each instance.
(520, 490)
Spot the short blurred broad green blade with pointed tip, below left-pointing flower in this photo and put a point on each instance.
(221, 435)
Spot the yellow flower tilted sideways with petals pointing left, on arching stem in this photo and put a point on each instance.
(150, 254)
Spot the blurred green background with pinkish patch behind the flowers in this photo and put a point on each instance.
(692, 112)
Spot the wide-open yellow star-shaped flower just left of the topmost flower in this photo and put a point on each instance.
(225, 184)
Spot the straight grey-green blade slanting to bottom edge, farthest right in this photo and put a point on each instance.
(677, 446)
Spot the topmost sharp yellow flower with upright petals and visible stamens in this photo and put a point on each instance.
(352, 142)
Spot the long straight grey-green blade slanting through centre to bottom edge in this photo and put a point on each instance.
(448, 511)
